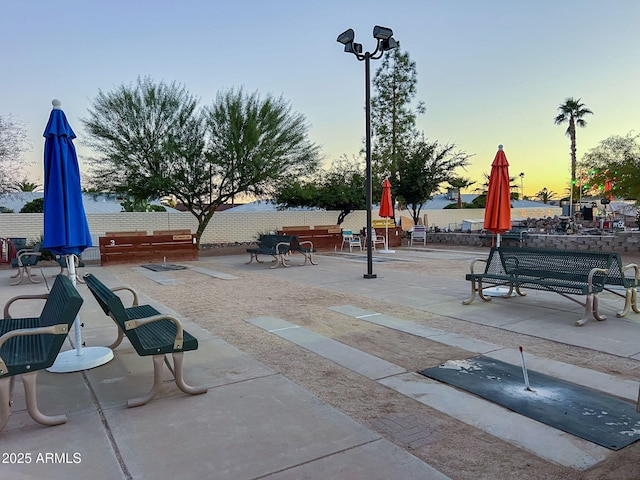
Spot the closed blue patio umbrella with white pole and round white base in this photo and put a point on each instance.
(65, 225)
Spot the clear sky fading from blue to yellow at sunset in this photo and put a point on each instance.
(489, 71)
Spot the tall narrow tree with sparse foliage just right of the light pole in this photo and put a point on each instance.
(393, 120)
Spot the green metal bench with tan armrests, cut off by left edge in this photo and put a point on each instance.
(28, 345)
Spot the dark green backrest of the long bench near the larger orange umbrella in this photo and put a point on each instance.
(567, 264)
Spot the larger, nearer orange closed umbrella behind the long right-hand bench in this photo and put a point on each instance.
(497, 215)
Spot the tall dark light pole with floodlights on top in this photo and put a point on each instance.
(385, 41)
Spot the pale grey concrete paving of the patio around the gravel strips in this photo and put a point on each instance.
(253, 422)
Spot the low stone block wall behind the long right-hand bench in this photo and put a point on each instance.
(619, 242)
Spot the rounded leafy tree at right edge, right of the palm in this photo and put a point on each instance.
(616, 159)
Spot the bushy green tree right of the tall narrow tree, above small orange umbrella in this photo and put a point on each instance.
(424, 170)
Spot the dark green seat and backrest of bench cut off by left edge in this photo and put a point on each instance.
(36, 352)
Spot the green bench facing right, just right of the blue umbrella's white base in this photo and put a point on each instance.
(150, 333)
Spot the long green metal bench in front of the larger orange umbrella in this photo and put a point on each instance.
(565, 272)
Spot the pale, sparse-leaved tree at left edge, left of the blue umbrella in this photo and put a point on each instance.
(13, 144)
